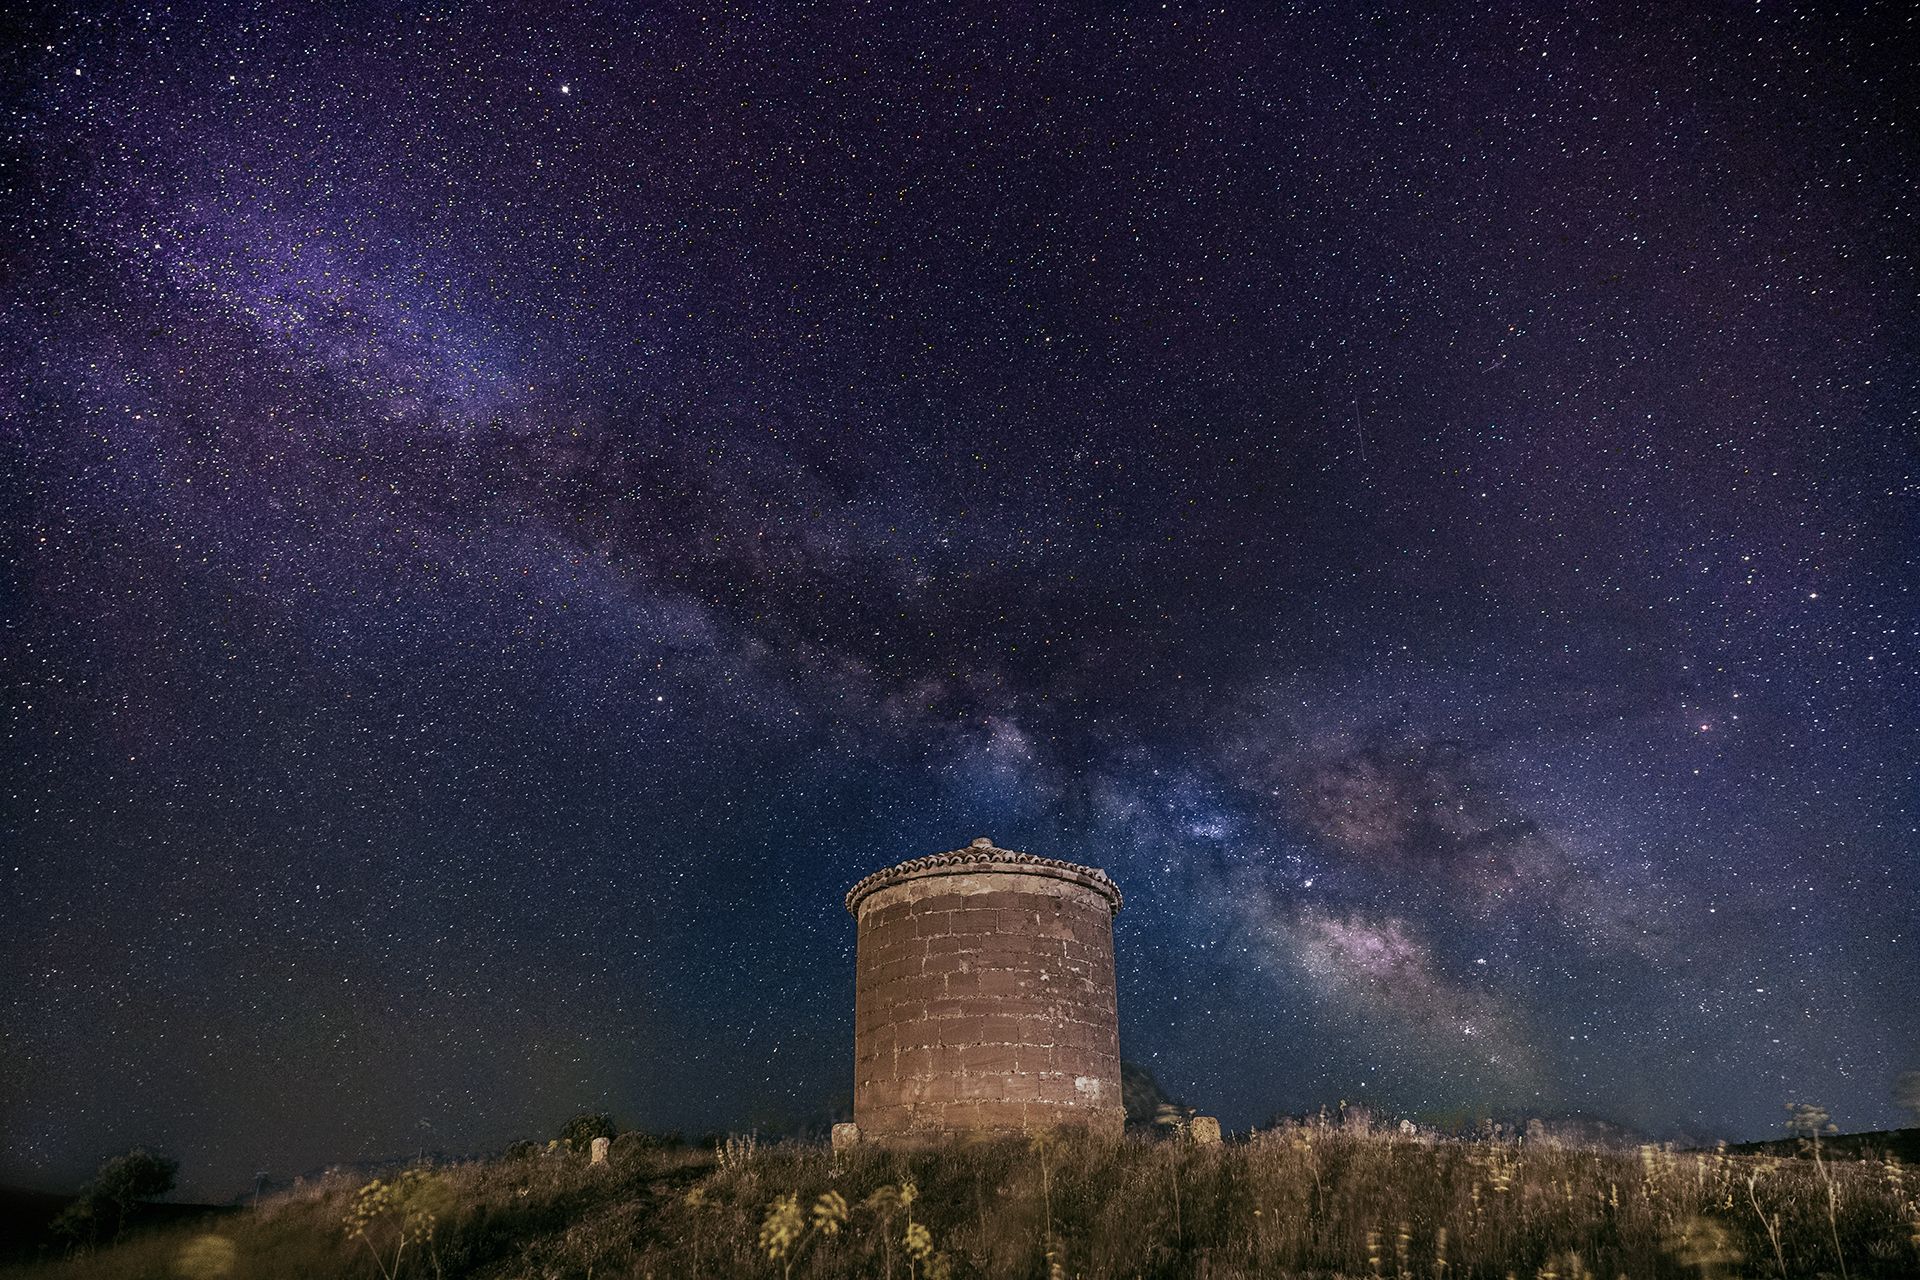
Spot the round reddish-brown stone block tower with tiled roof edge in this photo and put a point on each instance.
(986, 997)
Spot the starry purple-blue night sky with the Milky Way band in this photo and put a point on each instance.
(510, 513)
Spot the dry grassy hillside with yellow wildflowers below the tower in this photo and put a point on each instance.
(1299, 1200)
